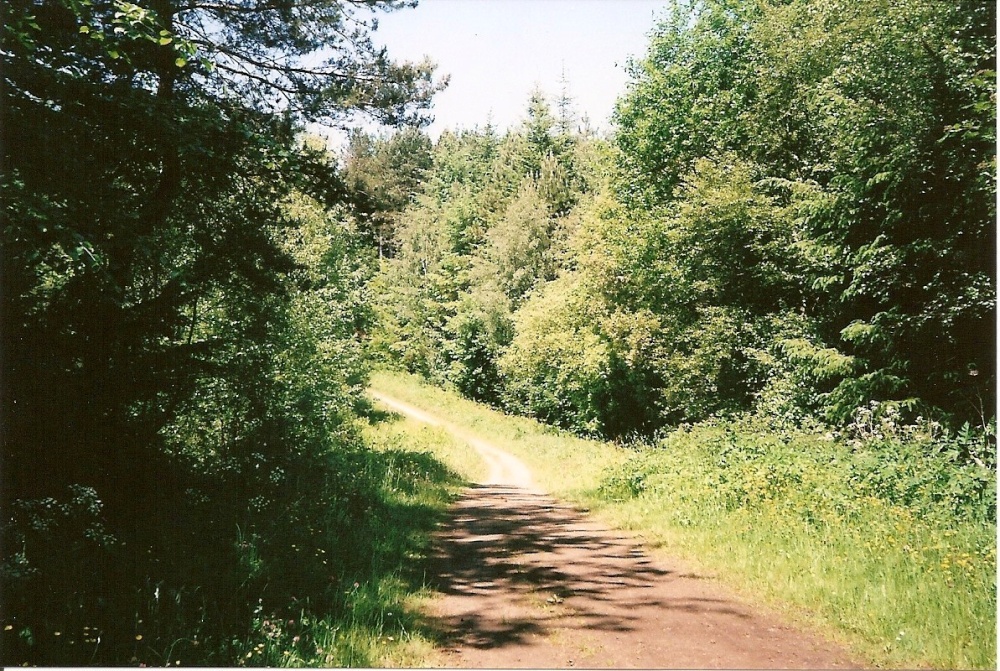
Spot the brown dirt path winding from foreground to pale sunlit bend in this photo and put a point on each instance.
(530, 582)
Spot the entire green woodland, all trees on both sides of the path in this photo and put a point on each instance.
(791, 226)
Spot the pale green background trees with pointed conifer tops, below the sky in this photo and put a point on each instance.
(493, 222)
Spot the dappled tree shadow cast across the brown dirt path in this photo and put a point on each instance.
(503, 543)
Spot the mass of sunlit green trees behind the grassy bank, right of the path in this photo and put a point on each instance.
(796, 213)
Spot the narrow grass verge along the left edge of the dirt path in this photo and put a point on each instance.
(379, 622)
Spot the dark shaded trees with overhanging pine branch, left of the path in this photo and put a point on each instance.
(154, 318)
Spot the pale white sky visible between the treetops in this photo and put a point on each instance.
(496, 51)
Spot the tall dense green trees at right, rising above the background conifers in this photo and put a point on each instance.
(806, 157)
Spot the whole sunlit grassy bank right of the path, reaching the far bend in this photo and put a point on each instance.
(887, 543)
